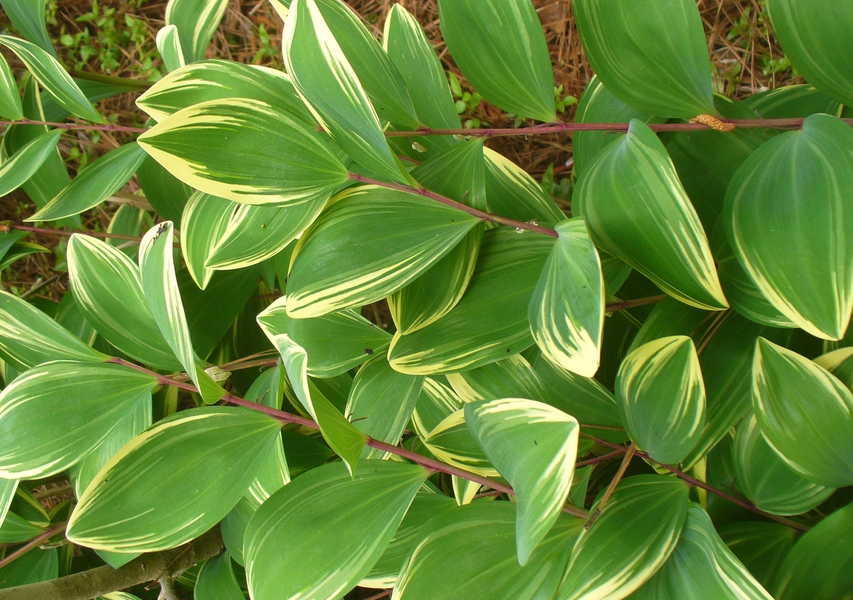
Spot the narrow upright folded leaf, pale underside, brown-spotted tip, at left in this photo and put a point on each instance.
(160, 287)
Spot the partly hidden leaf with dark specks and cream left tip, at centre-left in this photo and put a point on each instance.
(354, 337)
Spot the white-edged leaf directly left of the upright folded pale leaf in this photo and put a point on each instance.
(107, 286)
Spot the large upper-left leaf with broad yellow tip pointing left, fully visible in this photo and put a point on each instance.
(246, 151)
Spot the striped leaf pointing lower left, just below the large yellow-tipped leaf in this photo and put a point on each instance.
(256, 233)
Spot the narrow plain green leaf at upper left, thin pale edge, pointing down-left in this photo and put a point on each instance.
(99, 181)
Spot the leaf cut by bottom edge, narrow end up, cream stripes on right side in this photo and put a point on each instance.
(701, 567)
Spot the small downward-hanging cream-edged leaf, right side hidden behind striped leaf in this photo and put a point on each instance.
(203, 224)
